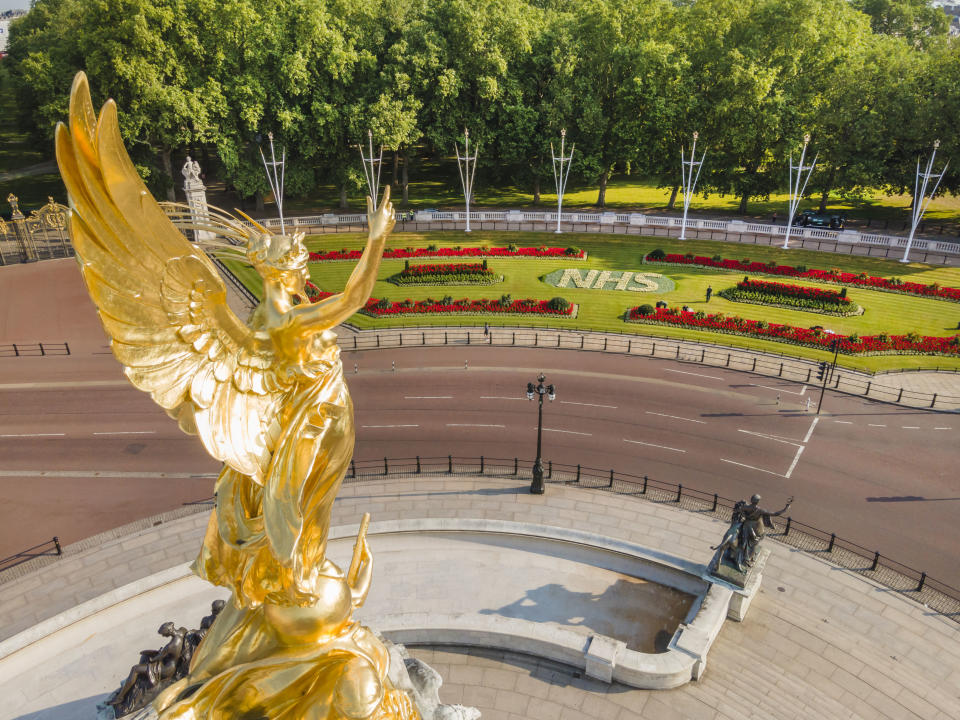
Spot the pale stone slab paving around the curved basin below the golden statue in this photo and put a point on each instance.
(818, 641)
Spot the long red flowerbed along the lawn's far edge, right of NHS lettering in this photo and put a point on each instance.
(834, 275)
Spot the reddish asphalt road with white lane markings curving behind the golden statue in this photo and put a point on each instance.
(84, 455)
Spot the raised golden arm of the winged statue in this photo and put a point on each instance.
(334, 310)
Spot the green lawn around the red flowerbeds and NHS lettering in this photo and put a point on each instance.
(603, 310)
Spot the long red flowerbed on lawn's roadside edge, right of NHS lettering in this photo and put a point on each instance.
(910, 344)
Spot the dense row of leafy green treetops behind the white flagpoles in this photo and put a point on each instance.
(873, 81)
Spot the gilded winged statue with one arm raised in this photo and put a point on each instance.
(268, 399)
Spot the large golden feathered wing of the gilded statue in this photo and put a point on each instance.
(162, 301)
